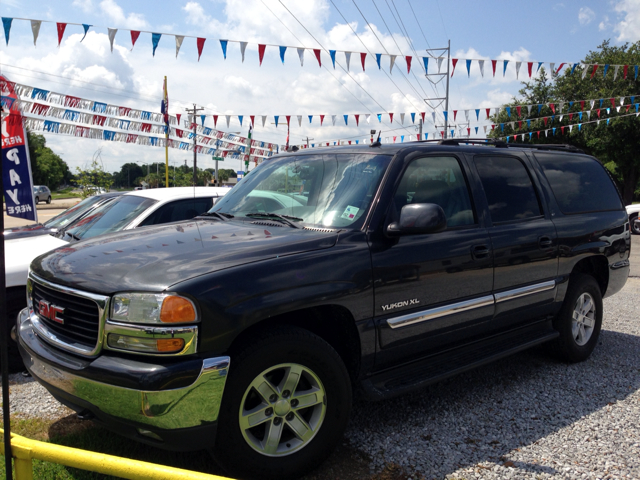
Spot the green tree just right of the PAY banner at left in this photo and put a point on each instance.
(47, 167)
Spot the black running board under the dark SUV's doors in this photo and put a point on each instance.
(408, 377)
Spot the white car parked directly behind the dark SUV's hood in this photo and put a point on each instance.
(131, 210)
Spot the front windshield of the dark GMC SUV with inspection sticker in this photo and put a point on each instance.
(331, 191)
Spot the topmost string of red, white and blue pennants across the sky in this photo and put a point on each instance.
(625, 71)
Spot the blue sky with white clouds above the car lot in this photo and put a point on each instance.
(545, 30)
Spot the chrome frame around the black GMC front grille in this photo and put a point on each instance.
(102, 301)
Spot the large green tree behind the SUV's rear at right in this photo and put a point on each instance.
(614, 141)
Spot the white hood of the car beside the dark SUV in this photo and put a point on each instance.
(18, 254)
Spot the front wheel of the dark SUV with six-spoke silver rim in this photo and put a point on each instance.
(285, 406)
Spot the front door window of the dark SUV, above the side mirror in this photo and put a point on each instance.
(436, 180)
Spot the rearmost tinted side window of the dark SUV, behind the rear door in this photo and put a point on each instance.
(580, 184)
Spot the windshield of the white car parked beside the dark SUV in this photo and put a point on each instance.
(111, 217)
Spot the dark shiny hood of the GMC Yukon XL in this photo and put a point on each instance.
(154, 258)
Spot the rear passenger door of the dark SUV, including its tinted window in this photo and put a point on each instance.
(523, 238)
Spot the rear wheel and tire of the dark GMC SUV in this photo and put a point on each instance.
(580, 319)
